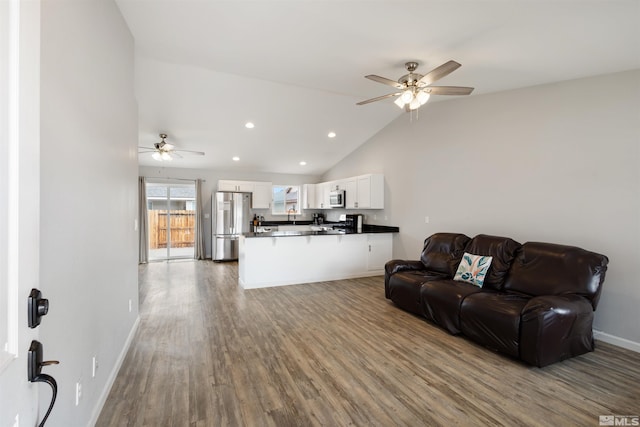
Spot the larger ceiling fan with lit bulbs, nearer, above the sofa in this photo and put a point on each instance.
(415, 89)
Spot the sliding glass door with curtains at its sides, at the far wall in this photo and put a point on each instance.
(172, 215)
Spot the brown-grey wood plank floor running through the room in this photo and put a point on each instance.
(208, 353)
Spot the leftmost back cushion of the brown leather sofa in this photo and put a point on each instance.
(442, 252)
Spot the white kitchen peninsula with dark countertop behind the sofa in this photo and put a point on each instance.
(292, 257)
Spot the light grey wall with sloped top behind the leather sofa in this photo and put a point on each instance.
(556, 163)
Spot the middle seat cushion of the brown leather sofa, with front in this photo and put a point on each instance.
(441, 301)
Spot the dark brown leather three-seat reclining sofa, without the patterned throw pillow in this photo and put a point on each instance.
(536, 303)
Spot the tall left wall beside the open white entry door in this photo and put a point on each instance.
(88, 199)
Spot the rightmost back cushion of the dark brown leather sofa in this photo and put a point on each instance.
(551, 269)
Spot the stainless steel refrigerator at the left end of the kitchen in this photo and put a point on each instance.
(231, 218)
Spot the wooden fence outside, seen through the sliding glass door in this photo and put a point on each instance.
(183, 225)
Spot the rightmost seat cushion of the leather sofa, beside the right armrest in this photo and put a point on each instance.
(492, 319)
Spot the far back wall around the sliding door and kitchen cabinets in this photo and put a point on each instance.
(210, 185)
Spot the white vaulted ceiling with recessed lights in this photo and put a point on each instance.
(296, 68)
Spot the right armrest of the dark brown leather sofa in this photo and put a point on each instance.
(554, 328)
